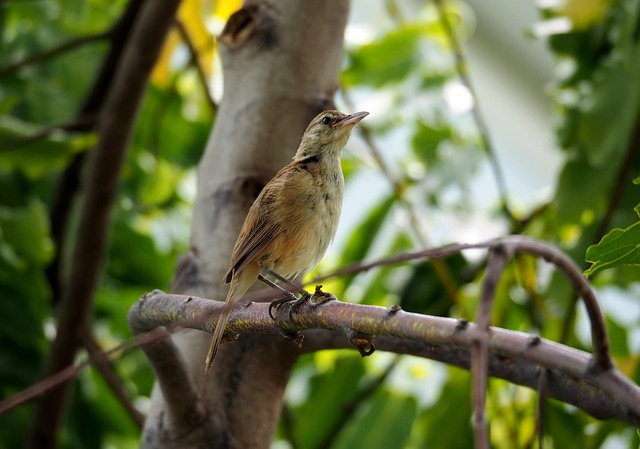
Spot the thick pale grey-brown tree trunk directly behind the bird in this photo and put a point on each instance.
(281, 60)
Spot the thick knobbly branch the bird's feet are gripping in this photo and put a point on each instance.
(514, 356)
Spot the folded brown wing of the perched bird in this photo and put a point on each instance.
(252, 240)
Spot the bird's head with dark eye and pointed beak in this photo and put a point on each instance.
(328, 133)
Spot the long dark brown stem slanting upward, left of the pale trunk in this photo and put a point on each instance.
(116, 122)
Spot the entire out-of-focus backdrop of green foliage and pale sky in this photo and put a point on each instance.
(488, 117)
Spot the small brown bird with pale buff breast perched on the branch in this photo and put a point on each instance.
(291, 223)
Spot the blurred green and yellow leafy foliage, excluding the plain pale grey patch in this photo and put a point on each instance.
(409, 63)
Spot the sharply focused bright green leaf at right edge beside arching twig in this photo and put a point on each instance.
(618, 247)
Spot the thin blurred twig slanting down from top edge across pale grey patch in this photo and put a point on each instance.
(462, 70)
